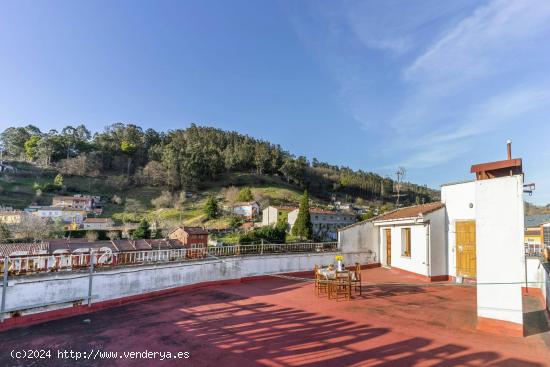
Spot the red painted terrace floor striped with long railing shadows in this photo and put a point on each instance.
(280, 322)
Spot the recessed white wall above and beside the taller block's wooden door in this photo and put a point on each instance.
(457, 199)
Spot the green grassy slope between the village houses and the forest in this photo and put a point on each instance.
(17, 190)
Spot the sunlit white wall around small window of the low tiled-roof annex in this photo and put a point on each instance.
(417, 263)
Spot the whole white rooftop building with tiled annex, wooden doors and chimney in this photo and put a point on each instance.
(475, 232)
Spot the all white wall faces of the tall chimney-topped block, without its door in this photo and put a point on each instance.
(497, 207)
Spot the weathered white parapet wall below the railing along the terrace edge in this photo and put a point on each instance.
(49, 291)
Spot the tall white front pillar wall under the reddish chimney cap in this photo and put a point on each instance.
(499, 246)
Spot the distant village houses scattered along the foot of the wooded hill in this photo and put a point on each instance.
(81, 214)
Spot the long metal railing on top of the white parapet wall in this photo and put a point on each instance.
(40, 263)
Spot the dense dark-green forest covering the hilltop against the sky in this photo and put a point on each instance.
(190, 159)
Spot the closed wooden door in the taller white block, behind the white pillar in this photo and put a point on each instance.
(466, 248)
